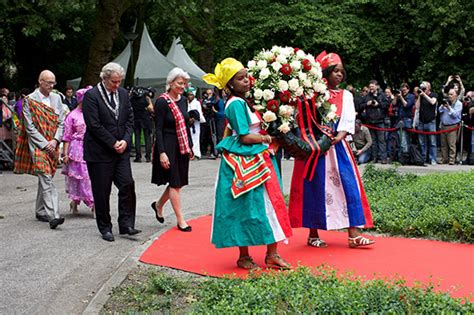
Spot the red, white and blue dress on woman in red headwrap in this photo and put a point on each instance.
(334, 198)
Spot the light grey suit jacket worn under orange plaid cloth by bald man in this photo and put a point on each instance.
(35, 138)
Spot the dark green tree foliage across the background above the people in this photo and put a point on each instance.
(391, 41)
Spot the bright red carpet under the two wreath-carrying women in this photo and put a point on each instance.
(450, 265)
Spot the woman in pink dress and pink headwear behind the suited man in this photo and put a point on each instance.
(78, 185)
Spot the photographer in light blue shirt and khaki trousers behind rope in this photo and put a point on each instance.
(450, 115)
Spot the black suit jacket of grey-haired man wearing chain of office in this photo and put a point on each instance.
(103, 130)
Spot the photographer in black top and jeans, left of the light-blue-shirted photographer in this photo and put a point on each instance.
(426, 106)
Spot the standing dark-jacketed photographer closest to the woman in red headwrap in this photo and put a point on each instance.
(375, 105)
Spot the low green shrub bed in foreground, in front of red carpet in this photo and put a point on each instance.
(300, 291)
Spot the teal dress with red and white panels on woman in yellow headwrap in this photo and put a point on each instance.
(249, 204)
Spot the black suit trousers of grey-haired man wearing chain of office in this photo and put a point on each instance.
(102, 175)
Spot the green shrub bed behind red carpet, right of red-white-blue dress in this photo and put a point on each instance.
(437, 206)
